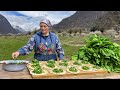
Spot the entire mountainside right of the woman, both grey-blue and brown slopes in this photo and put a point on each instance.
(89, 20)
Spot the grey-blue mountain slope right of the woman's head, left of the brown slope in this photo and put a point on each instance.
(79, 19)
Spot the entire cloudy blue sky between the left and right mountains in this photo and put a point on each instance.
(28, 20)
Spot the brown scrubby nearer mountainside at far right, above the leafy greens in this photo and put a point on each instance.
(108, 21)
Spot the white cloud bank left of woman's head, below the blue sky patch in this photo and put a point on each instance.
(23, 22)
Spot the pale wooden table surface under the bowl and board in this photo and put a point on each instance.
(25, 75)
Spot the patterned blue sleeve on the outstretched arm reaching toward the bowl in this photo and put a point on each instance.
(28, 47)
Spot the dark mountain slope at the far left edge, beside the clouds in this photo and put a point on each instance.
(6, 27)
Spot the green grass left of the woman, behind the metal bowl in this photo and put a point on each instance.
(9, 44)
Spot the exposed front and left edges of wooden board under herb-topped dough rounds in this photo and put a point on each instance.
(81, 73)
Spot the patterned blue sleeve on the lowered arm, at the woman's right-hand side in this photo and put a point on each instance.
(59, 49)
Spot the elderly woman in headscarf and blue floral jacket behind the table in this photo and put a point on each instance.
(46, 44)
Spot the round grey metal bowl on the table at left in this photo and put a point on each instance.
(14, 67)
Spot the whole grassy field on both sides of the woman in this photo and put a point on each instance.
(9, 44)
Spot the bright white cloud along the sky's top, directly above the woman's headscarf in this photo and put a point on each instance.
(54, 16)
